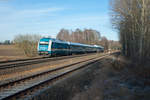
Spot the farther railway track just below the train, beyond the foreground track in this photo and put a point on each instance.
(21, 63)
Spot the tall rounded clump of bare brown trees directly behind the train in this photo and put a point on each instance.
(87, 36)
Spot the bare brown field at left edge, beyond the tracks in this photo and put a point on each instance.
(10, 52)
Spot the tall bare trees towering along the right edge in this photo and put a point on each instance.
(132, 20)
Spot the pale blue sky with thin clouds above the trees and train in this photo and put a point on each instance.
(47, 17)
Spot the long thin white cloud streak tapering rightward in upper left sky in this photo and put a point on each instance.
(9, 13)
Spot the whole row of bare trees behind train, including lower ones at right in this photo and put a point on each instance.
(86, 36)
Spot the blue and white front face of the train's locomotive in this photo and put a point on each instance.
(44, 46)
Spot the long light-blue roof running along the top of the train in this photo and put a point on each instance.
(71, 43)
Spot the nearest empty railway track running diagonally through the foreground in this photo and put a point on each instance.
(26, 86)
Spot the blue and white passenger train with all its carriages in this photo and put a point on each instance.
(55, 47)
